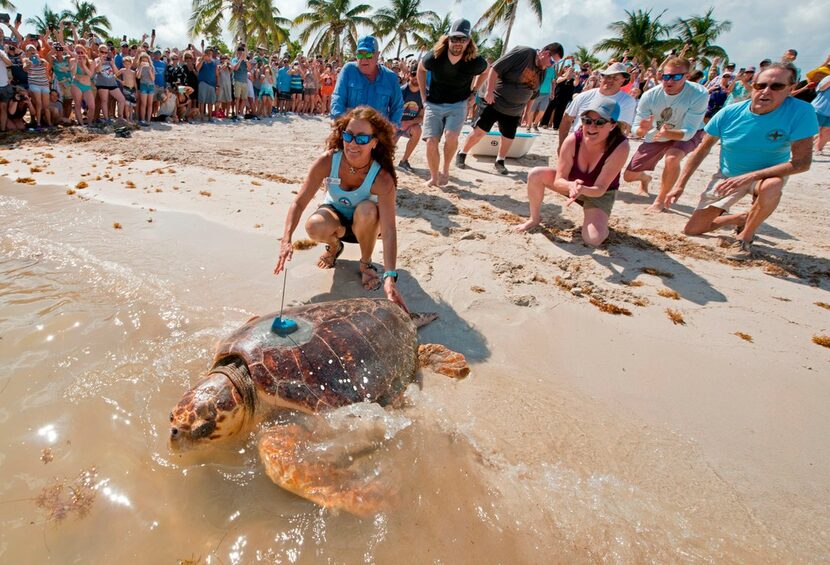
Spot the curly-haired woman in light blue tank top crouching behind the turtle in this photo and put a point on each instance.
(358, 172)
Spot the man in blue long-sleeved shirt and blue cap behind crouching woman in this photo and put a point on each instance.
(365, 83)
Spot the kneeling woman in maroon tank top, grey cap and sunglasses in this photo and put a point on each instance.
(587, 171)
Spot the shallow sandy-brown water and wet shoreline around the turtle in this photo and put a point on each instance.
(102, 330)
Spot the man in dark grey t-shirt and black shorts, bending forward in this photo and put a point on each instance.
(511, 82)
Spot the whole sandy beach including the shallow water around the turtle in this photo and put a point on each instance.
(649, 400)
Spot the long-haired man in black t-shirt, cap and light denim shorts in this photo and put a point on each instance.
(454, 64)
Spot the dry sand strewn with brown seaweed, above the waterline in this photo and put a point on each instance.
(735, 374)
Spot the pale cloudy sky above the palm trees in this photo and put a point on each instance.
(760, 28)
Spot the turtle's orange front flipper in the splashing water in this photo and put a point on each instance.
(332, 478)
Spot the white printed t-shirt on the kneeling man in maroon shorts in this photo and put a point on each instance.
(682, 111)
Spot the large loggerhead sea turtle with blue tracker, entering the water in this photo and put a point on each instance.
(343, 353)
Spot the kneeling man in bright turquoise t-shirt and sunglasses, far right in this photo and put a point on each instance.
(764, 140)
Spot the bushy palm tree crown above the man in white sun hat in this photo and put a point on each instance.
(641, 35)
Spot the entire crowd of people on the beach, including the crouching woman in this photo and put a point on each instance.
(768, 120)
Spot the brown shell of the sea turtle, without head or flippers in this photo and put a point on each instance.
(343, 352)
